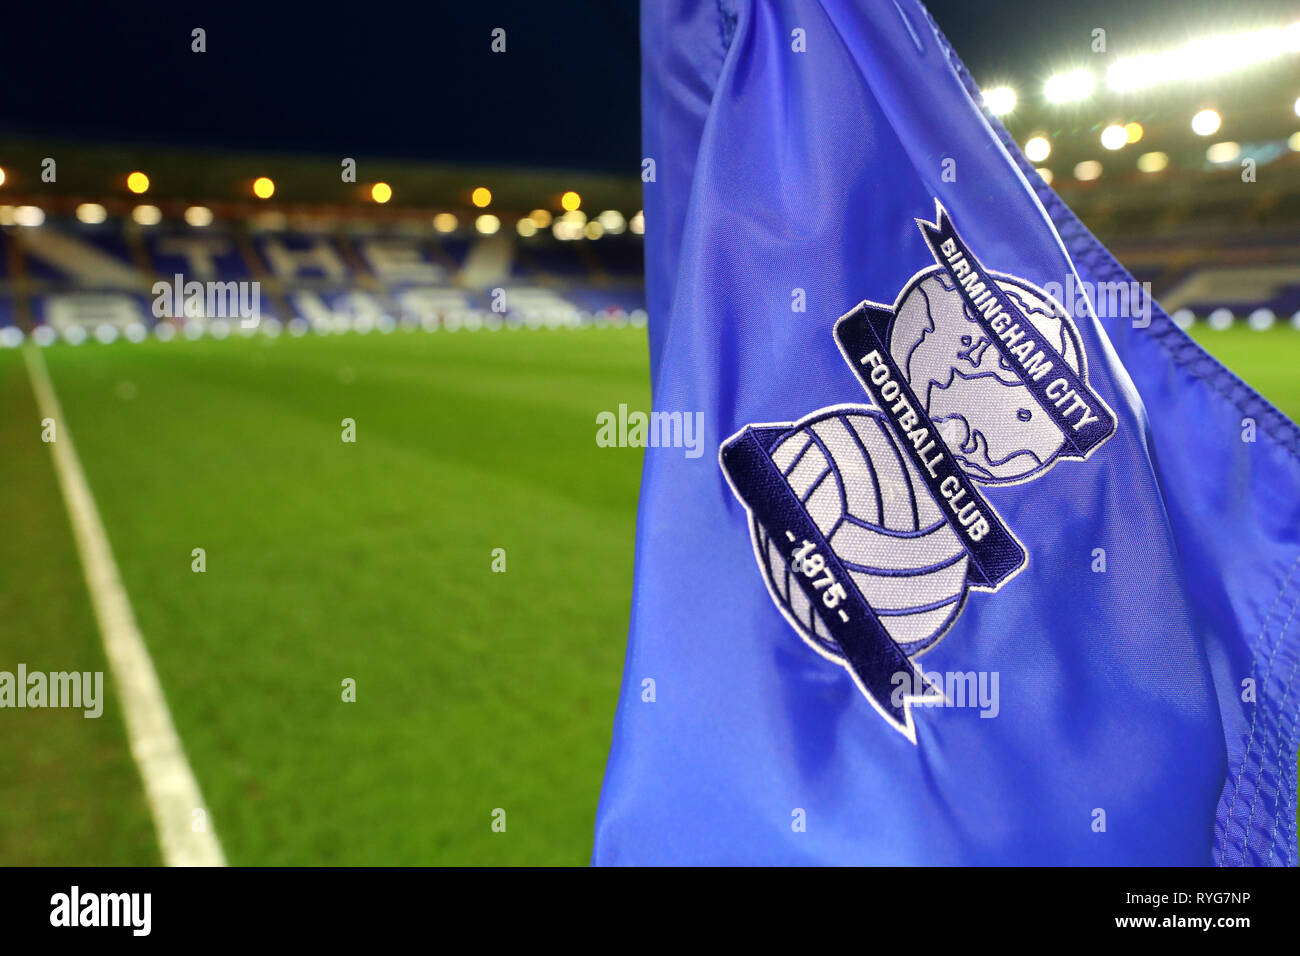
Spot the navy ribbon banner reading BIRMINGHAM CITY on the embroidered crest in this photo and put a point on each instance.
(1078, 412)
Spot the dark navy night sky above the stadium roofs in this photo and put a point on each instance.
(418, 80)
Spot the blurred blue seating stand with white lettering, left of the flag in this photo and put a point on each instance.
(66, 280)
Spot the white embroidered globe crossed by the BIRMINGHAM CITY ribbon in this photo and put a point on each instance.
(977, 399)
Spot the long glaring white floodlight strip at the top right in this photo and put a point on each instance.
(1203, 59)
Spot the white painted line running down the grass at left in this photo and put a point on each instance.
(170, 785)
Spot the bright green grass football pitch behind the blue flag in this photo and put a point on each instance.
(327, 561)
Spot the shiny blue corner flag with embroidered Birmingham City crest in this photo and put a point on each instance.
(986, 563)
